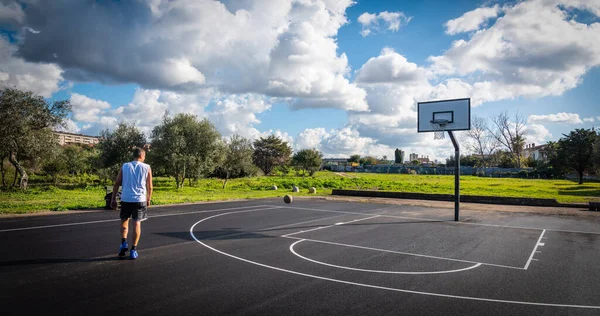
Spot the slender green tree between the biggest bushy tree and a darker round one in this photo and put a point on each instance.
(238, 158)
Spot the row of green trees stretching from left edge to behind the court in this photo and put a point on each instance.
(183, 146)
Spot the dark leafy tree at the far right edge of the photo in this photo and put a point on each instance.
(577, 148)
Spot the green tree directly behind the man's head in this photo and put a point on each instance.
(116, 146)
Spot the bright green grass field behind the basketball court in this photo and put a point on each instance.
(85, 197)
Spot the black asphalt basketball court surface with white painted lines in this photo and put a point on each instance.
(311, 257)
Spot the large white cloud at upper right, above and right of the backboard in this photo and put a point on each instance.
(536, 49)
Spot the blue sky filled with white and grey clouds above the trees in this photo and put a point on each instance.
(341, 76)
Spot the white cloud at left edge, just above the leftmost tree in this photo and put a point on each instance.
(40, 78)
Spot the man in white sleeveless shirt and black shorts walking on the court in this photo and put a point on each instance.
(135, 177)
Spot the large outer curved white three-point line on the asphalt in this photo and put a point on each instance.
(375, 286)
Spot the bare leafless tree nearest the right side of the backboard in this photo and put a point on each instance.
(480, 140)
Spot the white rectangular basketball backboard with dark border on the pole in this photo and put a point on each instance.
(457, 112)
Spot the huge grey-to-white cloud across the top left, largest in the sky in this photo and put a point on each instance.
(278, 48)
